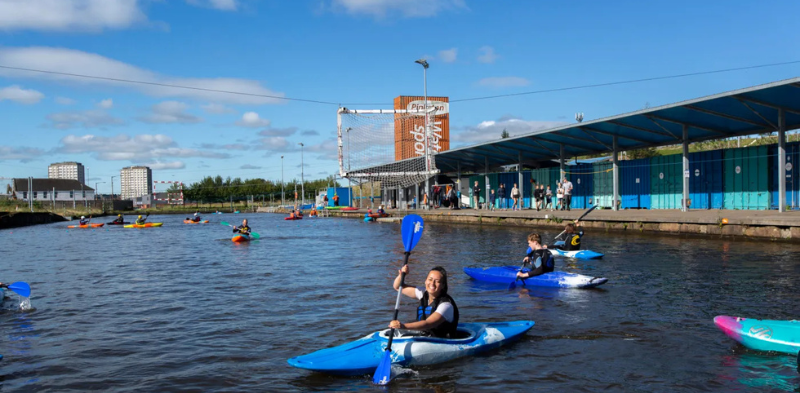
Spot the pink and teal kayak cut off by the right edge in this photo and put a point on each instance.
(762, 334)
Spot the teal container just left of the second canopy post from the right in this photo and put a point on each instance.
(666, 186)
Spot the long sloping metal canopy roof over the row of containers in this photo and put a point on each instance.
(747, 111)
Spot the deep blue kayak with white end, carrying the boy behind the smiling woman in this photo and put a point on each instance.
(508, 274)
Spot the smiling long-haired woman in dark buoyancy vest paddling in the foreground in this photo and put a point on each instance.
(437, 312)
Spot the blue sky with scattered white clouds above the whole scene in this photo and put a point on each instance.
(294, 62)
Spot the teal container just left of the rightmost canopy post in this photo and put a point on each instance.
(746, 178)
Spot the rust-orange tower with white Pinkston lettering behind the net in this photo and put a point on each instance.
(409, 130)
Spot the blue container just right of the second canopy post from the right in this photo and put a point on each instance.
(706, 174)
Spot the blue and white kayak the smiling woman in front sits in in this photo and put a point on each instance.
(409, 348)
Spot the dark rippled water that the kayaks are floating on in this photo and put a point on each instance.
(182, 307)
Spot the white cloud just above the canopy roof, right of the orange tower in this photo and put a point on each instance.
(490, 130)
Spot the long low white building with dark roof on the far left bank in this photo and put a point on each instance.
(51, 190)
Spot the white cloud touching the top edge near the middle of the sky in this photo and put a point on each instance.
(406, 8)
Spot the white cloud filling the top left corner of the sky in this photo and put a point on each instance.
(69, 15)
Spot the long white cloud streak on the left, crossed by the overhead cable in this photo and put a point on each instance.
(84, 63)
